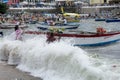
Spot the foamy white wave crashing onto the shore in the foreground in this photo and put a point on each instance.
(54, 61)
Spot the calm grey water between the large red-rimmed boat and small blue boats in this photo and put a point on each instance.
(91, 25)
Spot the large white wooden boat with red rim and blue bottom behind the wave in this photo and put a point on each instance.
(86, 38)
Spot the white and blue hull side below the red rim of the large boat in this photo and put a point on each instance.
(96, 41)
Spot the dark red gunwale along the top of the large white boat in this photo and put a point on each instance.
(81, 35)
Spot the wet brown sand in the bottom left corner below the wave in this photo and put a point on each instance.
(8, 72)
